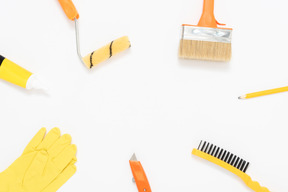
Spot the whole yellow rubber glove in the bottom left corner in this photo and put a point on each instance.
(45, 165)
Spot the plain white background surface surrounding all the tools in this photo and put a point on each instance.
(146, 100)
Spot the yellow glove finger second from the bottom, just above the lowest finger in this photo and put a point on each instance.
(65, 157)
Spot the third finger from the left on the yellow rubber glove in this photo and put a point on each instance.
(63, 142)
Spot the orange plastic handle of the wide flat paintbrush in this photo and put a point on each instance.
(208, 19)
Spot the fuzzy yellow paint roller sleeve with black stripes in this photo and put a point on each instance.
(104, 53)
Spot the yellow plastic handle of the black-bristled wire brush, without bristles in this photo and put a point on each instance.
(246, 178)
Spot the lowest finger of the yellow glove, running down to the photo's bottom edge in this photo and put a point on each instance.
(61, 179)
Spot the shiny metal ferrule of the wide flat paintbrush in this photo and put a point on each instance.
(206, 34)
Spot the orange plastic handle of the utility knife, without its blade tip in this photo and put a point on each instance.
(140, 176)
